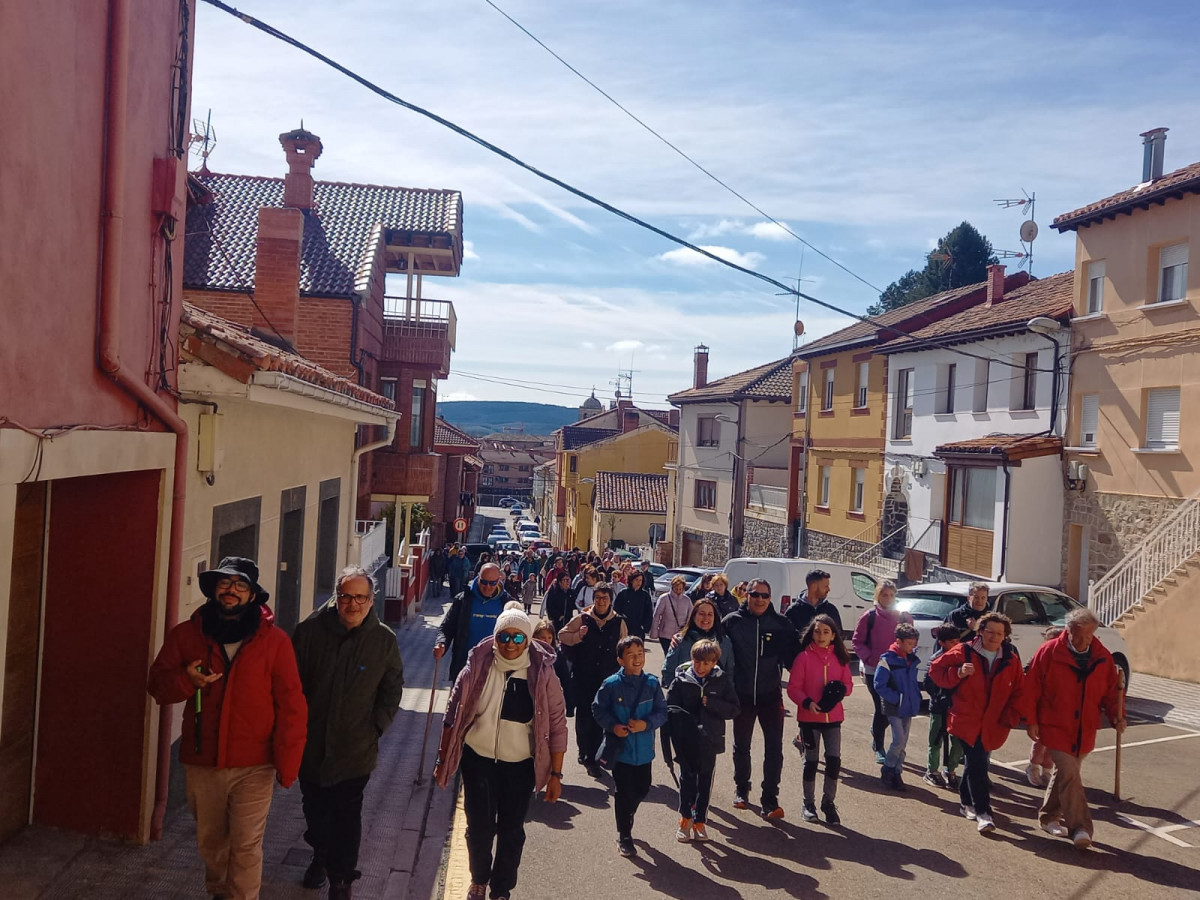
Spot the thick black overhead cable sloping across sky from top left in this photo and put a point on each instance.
(885, 331)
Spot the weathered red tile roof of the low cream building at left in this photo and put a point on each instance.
(205, 335)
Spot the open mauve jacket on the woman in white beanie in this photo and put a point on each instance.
(549, 710)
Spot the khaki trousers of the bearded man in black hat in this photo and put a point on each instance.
(231, 808)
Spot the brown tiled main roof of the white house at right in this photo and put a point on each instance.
(1053, 297)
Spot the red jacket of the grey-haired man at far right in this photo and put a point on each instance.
(1066, 701)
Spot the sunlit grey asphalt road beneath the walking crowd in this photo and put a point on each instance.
(890, 845)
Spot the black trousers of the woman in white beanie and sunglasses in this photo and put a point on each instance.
(495, 797)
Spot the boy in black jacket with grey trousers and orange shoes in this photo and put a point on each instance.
(700, 700)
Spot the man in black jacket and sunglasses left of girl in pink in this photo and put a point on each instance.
(764, 645)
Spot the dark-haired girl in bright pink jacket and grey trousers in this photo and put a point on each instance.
(818, 682)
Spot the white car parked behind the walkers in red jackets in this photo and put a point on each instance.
(1031, 608)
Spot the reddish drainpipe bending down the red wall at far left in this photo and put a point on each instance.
(110, 356)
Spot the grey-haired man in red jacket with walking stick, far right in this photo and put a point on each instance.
(1070, 681)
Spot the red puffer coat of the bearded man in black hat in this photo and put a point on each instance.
(254, 716)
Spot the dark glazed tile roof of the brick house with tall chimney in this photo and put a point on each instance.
(341, 232)
